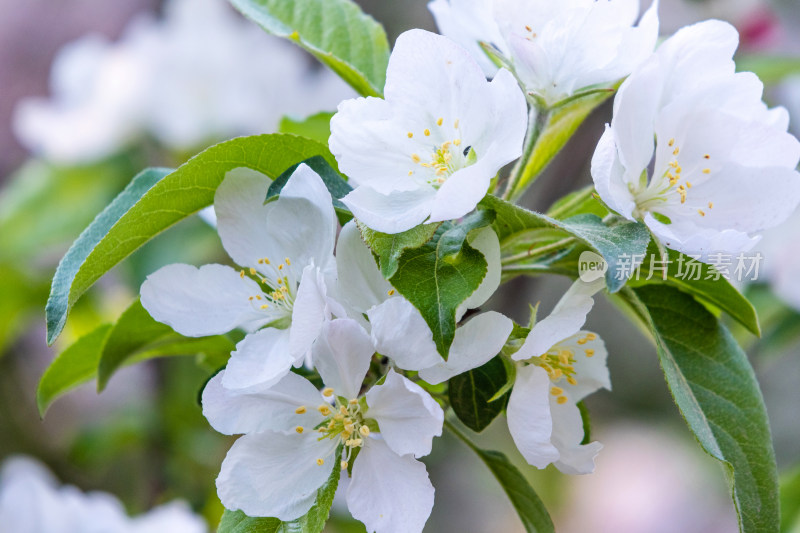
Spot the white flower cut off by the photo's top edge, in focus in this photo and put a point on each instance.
(555, 48)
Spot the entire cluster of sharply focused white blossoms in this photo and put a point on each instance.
(339, 370)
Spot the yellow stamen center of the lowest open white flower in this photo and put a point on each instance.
(344, 422)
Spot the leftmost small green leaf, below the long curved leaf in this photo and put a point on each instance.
(72, 367)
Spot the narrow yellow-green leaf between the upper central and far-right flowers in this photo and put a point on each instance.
(558, 128)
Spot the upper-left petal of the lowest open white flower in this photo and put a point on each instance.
(267, 408)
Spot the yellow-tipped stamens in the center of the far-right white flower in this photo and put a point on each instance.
(649, 196)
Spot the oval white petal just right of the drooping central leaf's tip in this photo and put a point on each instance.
(475, 343)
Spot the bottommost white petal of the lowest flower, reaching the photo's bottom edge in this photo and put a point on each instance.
(389, 493)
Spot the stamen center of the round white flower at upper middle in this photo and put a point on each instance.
(445, 157)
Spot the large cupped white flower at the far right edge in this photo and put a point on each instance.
(724, 164)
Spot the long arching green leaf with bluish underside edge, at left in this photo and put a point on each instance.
(156, 200)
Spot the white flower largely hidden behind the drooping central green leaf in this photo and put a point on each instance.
(398, 329)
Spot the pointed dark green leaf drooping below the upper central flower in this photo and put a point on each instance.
(437, 276)
